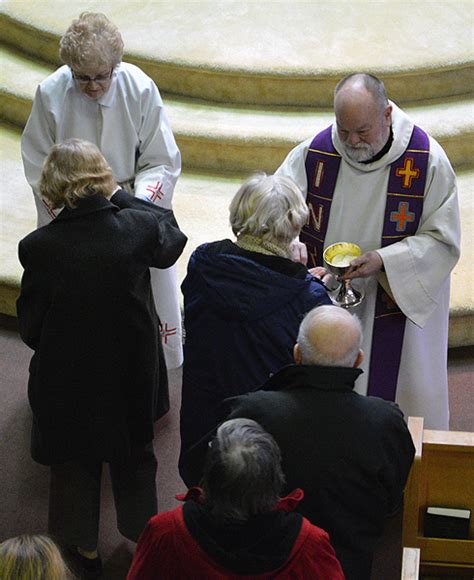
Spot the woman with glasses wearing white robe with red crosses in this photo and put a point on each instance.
(116, 106)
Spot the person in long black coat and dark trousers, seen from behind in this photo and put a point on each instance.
(87, 311)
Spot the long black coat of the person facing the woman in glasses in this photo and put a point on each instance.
(87, 311)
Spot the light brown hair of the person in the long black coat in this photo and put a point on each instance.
(74, 170)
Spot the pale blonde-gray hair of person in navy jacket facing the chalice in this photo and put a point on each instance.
(270, 207)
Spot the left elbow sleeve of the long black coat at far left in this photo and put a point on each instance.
(34, 300)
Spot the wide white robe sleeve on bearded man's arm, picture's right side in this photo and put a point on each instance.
(418, 266)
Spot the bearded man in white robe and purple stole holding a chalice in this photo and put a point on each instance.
(375, 179)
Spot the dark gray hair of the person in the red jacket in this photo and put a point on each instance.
(243, 475)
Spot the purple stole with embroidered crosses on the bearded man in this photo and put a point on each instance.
(403, 210)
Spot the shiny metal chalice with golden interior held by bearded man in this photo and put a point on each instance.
(337, 258)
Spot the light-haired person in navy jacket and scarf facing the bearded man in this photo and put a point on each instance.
(243, 302)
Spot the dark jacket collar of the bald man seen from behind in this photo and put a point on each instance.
(322, 378)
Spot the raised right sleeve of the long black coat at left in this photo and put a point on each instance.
(171, 240)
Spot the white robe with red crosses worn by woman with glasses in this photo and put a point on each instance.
(129, 125)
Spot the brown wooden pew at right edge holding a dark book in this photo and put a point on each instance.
(442, 475)
